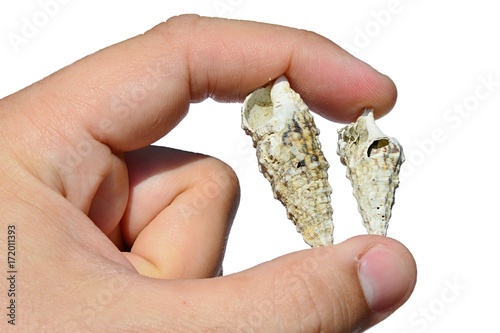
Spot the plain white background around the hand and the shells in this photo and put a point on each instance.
(438, 53)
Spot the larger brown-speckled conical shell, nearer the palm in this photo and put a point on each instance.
(290, 157)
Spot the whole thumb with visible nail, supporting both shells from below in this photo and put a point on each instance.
(348, 287)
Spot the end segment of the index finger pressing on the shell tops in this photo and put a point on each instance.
(341, 86)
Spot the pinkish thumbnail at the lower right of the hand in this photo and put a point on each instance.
(384, 278)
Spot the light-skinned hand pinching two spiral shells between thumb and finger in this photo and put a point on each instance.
(117, 236)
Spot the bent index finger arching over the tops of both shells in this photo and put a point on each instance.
(131, 94)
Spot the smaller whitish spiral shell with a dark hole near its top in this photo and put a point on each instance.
(373, 162)
